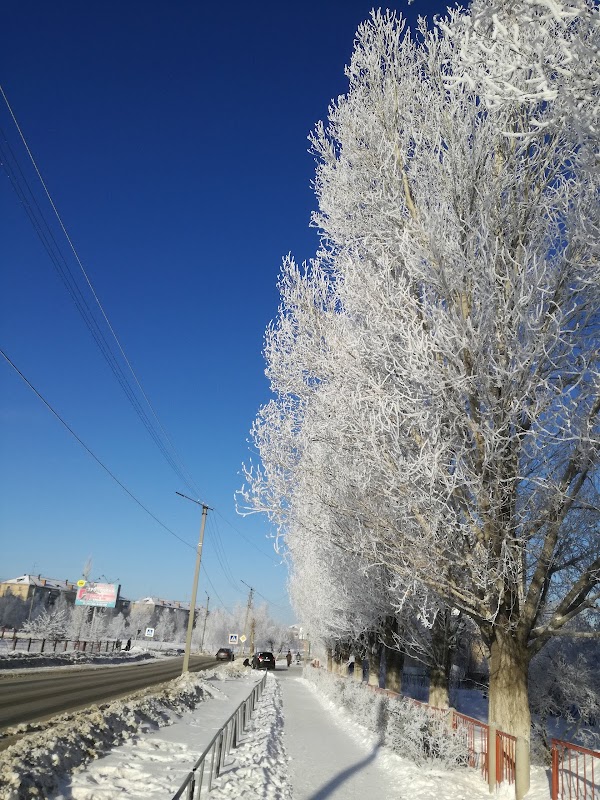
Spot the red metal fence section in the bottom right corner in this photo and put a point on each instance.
(575, 772)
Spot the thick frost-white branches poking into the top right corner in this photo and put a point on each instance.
(530, 53)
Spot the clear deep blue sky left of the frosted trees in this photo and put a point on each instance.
(173, 140)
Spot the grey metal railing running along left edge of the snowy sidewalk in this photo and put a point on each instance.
(227, 737)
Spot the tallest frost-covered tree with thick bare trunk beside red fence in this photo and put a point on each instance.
(435, 369)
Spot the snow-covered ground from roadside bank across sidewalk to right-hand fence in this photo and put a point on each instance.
(299, 745)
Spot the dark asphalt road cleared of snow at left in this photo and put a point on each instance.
(33, 697)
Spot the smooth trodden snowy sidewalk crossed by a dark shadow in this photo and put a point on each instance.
(326, 762)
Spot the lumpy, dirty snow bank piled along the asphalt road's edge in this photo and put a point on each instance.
(33, 767)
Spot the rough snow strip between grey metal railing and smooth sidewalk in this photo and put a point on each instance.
(259, 769)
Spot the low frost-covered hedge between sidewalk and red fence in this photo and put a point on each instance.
(410, 730)
